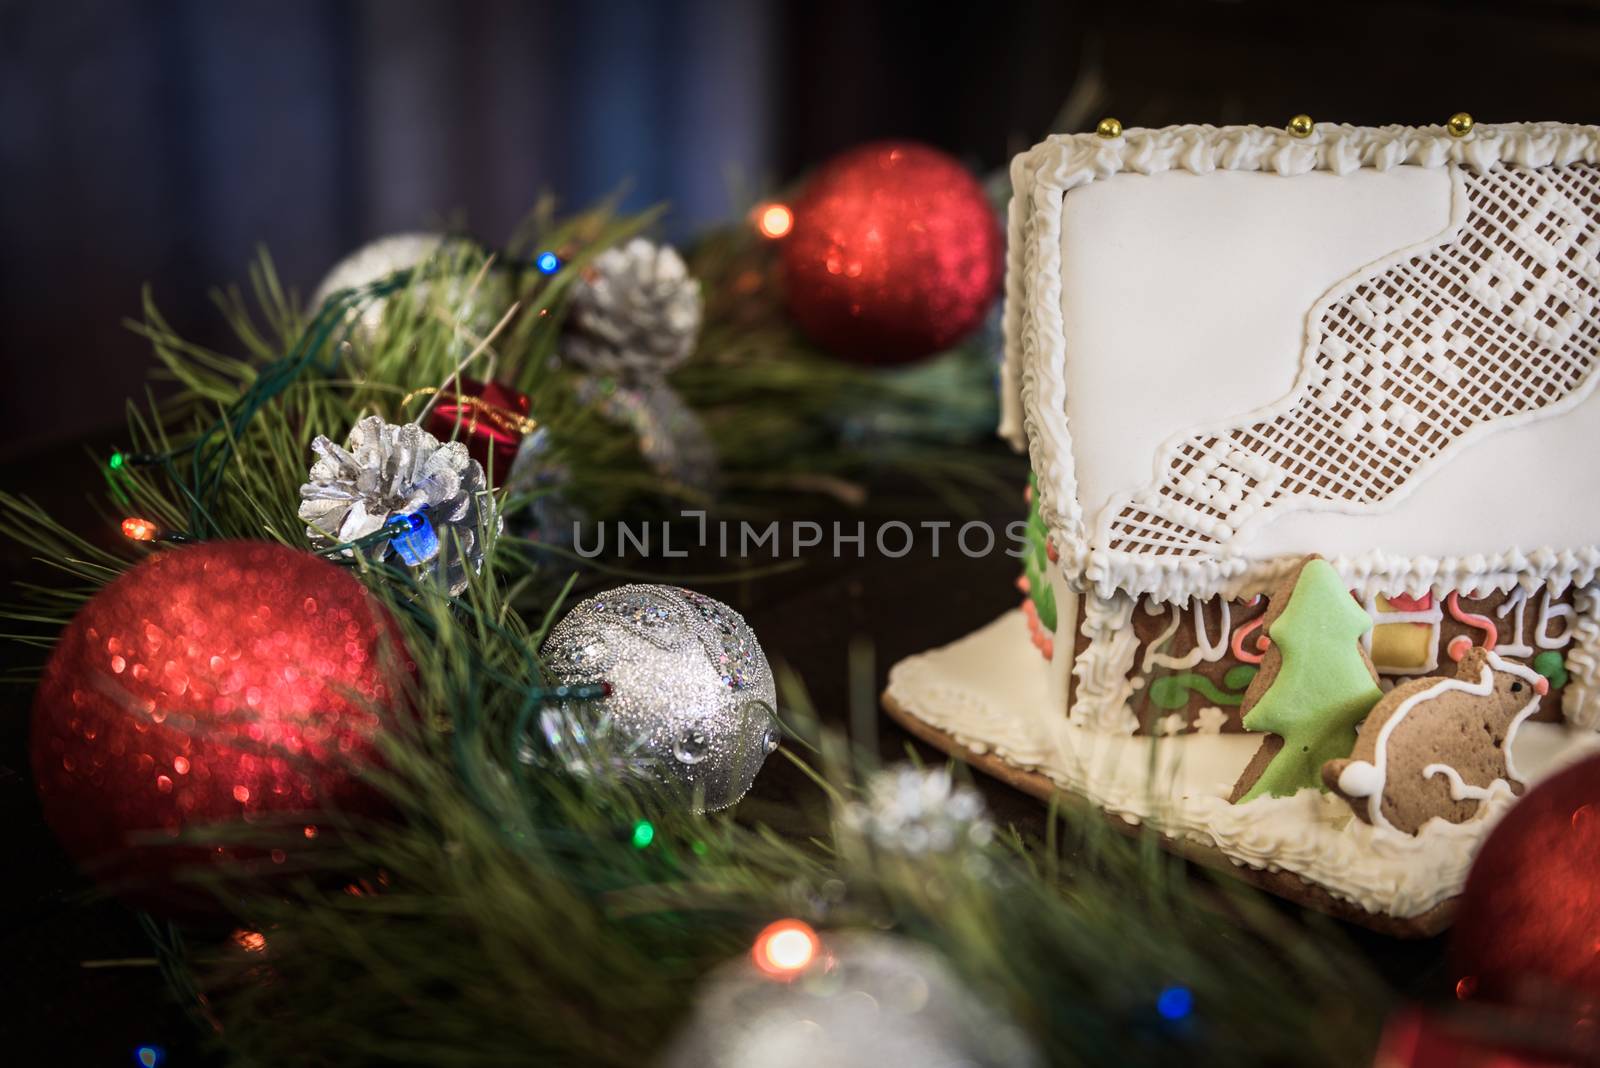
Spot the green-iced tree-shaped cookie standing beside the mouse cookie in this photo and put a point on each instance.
(1324, 688)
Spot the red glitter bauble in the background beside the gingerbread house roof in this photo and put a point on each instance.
(895, 255)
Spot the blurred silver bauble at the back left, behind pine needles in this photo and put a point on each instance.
(476, 308)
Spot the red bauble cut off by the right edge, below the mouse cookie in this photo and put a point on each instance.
(1529, 928)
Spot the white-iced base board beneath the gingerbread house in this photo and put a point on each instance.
(990, 693)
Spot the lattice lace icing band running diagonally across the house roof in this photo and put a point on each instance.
(1494, 325)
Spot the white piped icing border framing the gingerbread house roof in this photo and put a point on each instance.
(1034, 378)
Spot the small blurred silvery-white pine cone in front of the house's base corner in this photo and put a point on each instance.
(914, 811)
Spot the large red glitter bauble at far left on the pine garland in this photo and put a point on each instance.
(210, 683)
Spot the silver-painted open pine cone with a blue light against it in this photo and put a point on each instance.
(388, 471)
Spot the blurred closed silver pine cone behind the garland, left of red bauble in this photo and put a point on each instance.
(636, 313)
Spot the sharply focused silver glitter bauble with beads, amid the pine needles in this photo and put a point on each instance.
(690, 685)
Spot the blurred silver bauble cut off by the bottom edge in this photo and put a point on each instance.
(870, 1002)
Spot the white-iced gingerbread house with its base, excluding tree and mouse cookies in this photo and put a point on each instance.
(1230, 349)
